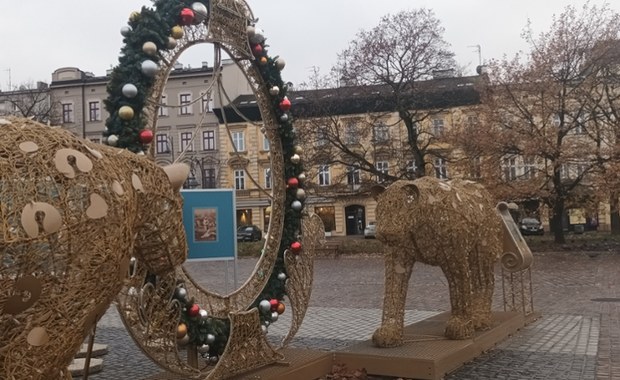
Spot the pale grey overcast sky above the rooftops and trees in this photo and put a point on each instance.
(39, 36)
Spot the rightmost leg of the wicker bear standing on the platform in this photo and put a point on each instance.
(483, 282)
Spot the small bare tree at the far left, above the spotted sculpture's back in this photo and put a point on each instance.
(32, 101)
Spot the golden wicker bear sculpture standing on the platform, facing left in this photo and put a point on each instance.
(452, 225)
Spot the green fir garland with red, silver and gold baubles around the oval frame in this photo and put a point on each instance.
(209, 334)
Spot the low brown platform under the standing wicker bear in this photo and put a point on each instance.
(427, 354)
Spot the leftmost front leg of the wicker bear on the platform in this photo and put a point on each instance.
(398, 267)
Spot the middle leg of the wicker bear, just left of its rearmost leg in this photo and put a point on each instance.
(460, 325)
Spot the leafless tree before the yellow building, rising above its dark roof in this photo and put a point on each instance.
(384, 71)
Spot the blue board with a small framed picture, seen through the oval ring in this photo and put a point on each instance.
(209, 218)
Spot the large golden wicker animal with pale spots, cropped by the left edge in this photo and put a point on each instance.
(72, 214)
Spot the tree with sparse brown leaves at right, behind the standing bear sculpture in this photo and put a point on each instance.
(543, 114)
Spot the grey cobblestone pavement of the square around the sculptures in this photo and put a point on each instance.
(577, 337)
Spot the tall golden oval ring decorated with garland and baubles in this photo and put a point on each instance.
(165, 312)
